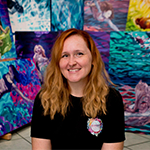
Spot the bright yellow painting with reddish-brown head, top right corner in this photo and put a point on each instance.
(138, 16)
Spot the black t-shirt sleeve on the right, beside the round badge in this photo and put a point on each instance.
(114, 126)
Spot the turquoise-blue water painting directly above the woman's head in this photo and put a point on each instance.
(66, 14)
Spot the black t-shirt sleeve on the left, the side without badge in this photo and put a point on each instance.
(40, 124)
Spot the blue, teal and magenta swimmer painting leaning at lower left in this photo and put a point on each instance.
(19, 84)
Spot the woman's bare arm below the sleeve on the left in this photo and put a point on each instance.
(41, 144)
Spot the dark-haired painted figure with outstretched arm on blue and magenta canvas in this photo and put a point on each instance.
(7, 83)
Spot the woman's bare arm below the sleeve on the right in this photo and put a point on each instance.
(113, 146)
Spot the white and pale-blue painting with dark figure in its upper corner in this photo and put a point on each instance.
(27, 15)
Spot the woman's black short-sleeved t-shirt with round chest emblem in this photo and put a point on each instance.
(72, 132)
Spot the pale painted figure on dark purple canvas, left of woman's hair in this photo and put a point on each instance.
(41, 60)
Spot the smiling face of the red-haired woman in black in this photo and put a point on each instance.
(76, 60)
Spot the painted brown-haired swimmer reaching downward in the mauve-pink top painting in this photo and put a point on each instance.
(103, 12)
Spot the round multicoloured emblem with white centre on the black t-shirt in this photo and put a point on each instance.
(94, 126)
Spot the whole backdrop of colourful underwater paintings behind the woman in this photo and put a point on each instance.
(119, 28)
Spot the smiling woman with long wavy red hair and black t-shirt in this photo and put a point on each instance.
(75, 108)
